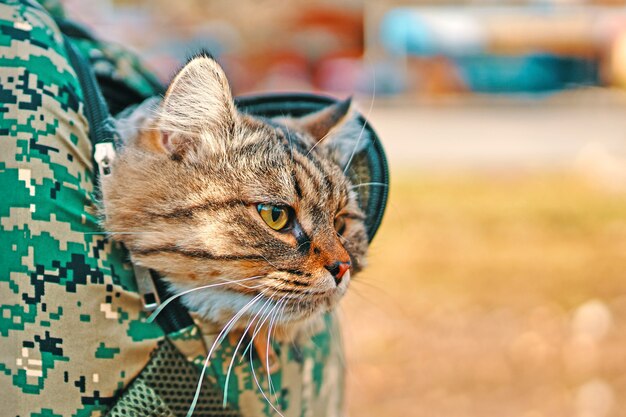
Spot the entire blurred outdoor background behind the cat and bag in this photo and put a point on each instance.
(497, 282)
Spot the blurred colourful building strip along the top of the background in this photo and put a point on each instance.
(395, 48)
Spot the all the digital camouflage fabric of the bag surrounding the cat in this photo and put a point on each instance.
(74, 340)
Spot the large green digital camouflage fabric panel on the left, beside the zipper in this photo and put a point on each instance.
(72, 326)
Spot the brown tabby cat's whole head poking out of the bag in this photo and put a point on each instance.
(205, 194)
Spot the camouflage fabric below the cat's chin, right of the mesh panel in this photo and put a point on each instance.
(307, 383)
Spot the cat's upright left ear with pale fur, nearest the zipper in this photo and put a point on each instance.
(198, 105)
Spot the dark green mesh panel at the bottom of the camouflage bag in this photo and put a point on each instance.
(166, 387)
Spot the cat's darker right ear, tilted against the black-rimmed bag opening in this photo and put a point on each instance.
(338, 128)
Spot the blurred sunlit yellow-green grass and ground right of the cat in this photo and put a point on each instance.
(469, 305)
